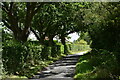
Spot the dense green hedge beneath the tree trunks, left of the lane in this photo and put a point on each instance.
(17, 57)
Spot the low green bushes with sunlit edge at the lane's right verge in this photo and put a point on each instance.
(96, 65)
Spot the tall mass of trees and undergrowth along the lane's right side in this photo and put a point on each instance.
(104, 33)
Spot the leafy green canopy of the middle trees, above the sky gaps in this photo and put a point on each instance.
(57, 19)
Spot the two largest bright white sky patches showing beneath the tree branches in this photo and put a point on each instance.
(74, 36)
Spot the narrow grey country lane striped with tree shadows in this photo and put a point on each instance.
(62, 69)
